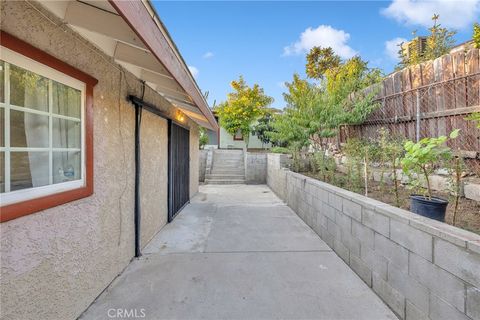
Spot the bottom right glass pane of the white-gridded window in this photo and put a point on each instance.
(66, 166)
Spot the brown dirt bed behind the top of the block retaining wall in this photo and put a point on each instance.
(468, 213)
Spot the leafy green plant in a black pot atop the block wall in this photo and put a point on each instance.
(418, 164)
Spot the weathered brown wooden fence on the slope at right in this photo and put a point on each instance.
(429, 100)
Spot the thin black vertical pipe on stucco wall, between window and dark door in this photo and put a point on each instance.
(138, 119)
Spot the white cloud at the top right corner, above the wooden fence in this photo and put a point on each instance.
(457, 14)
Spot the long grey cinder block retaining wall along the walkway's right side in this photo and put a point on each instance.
(421, 268)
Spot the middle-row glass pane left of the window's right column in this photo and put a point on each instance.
(28, 130)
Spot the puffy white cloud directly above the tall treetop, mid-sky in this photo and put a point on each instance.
(323, 36)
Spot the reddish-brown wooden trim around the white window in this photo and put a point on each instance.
(27, 207)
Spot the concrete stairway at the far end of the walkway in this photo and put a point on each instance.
(227, 168)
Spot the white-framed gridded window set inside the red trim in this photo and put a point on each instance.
(42, 129)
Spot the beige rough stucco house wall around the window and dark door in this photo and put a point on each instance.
(54, 263)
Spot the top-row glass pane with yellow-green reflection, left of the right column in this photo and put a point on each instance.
(28, 89)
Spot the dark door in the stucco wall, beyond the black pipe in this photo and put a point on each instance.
(179, 169)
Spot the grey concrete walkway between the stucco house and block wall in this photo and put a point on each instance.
(238, 252)
